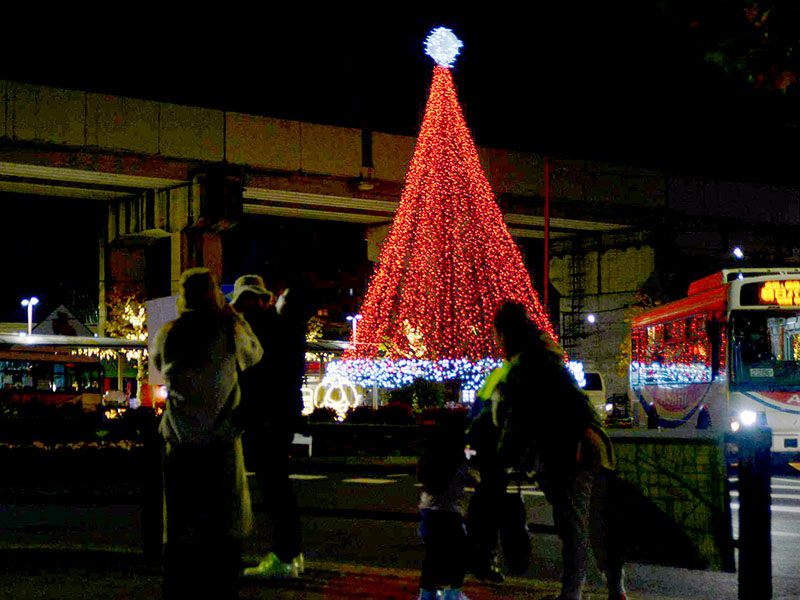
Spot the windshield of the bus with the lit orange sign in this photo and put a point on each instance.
(765, 349)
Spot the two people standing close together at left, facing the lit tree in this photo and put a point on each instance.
(233, 374)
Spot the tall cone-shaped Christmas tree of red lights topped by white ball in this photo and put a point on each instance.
(448, 262)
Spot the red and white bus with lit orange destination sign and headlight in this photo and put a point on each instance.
(725, 356)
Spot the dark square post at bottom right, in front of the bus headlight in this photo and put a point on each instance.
(755, 538)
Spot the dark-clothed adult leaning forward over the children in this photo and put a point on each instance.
(548, 426)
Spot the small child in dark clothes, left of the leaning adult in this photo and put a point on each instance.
(444, 474)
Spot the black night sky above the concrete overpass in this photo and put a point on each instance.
(624, 82)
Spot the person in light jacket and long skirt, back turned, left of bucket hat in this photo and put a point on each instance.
(206, 498)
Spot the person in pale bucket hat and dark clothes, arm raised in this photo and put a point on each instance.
(269, 427)
